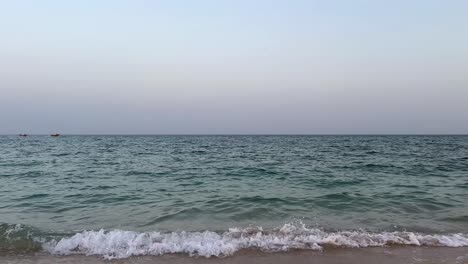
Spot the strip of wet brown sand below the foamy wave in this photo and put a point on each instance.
(386, 255)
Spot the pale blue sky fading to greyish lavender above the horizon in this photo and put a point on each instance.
(234, 67)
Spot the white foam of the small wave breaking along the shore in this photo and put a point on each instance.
(123, 244)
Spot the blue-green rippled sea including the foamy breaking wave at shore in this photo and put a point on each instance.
(118, 196)
